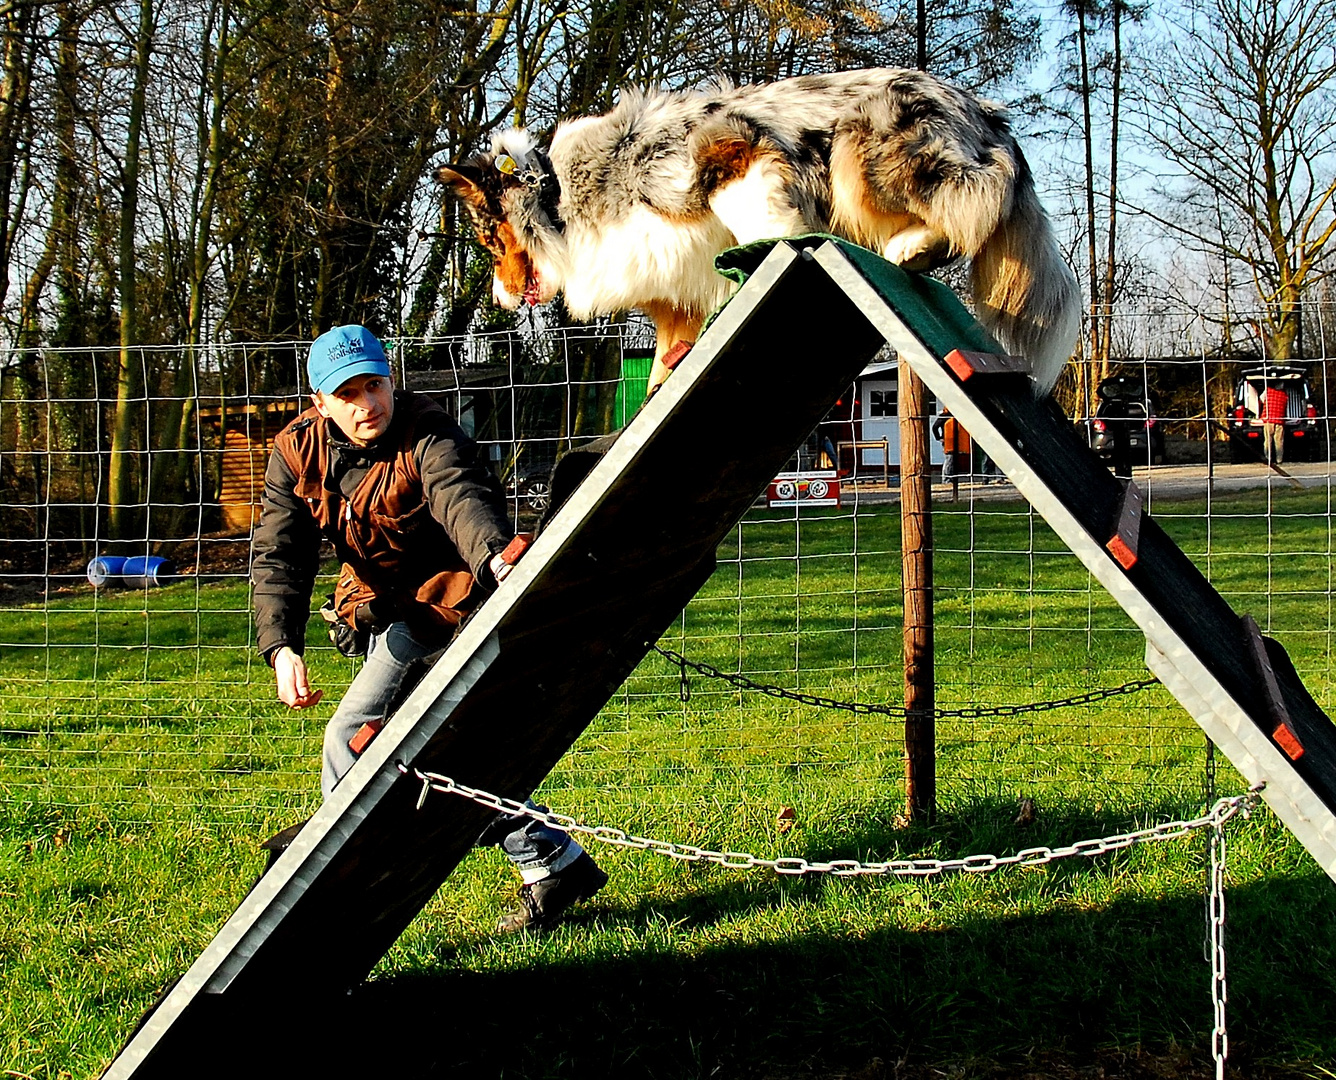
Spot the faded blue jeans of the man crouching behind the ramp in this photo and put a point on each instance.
(396, 662)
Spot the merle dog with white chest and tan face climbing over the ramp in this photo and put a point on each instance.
(629, 211)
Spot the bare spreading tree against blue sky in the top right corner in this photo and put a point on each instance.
(1239, 100)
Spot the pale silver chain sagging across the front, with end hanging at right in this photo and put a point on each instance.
(1216, 819)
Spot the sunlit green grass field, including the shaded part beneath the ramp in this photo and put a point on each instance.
(142, 760)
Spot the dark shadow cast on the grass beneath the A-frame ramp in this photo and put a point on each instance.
(1024, 995)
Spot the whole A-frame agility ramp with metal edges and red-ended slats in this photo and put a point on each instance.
(618, 565)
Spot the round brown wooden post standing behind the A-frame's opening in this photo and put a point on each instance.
(917, 575)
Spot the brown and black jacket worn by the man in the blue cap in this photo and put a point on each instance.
(413, 519)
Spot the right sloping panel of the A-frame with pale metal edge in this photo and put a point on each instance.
(1195, 642)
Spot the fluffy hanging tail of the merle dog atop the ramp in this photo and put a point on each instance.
(1025, 295)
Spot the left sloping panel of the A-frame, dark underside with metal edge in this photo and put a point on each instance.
(530, 672)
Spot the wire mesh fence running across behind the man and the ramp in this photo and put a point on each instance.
(142, 697)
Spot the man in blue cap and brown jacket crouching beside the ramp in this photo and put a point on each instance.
(420, 525)
